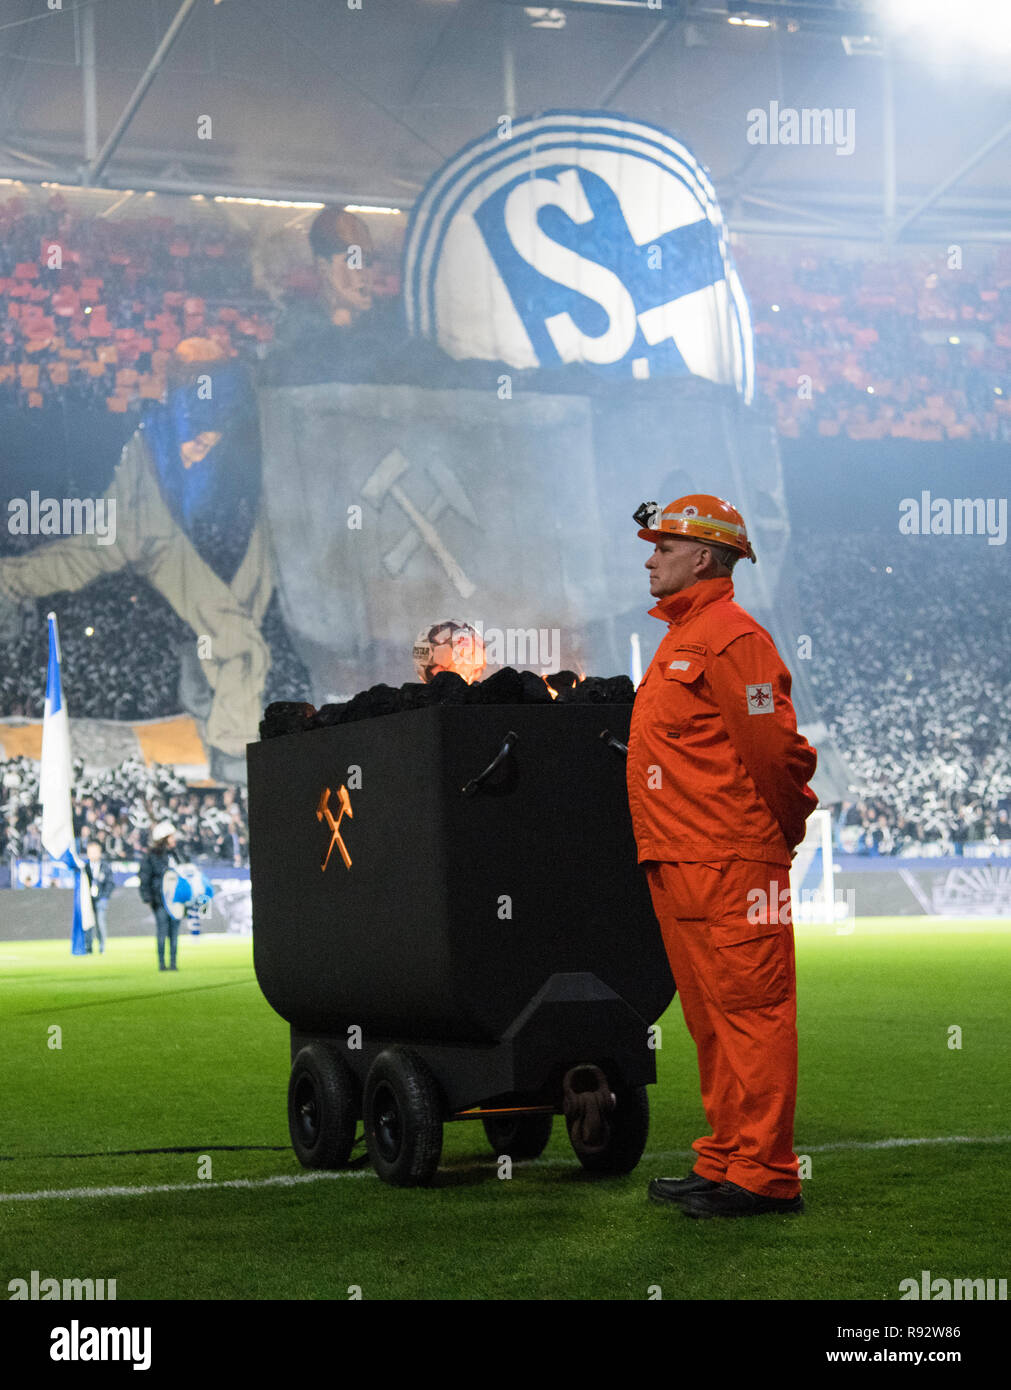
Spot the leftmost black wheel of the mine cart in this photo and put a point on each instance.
(322, 1110)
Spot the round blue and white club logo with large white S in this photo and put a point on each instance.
(581, 238)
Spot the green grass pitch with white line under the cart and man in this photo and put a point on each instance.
(200, 1060)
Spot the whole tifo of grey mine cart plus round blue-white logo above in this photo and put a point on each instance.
(586, 255)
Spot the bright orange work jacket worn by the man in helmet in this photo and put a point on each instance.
(717, 769)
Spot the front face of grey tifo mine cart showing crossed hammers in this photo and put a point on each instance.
(396, 507)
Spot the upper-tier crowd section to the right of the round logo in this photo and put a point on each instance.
(916, 347)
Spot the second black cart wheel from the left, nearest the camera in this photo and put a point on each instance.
(404, 1120)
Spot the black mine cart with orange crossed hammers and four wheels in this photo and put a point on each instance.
(448, 913)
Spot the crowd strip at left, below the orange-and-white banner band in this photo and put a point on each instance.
(119, 808)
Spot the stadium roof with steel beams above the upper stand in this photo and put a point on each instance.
(327, 101)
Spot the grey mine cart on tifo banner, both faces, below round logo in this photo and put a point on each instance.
(393, 508)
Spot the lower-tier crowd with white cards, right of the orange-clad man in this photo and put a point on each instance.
(913, 673)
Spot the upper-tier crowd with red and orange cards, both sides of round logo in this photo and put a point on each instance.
(914, 345)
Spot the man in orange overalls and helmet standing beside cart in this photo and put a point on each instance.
(718, 793)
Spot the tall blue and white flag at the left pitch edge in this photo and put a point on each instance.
(55, 780)
